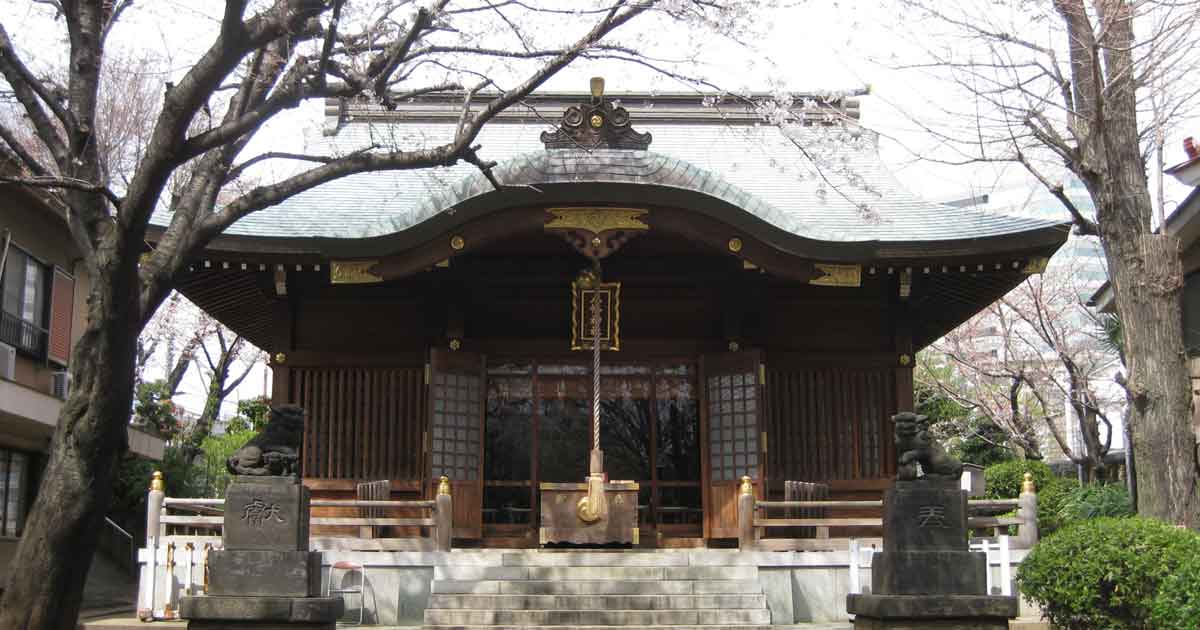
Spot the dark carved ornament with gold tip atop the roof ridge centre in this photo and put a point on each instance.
(597, 124)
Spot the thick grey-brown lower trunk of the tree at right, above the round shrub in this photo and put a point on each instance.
(1148, 279)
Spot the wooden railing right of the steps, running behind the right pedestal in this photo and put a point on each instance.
(754, 524)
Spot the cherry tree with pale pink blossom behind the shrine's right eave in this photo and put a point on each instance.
(1037, 365)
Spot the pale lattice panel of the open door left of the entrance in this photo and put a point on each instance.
(457, 407)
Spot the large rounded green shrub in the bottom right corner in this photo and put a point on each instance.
(1103, 573)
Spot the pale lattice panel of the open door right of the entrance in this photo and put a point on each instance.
(733, 425)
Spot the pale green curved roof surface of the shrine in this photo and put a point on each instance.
(843, 196)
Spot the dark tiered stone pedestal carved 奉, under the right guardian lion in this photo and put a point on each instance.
(926, 578)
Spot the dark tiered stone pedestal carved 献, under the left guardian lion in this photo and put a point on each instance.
(266, 578)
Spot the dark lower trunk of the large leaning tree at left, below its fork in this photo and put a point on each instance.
(47, 577)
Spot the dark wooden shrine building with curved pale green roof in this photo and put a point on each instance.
(763, 293)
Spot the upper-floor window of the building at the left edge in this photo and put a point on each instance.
(23, 311)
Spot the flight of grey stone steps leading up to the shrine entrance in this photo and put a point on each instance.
(597, 590)
